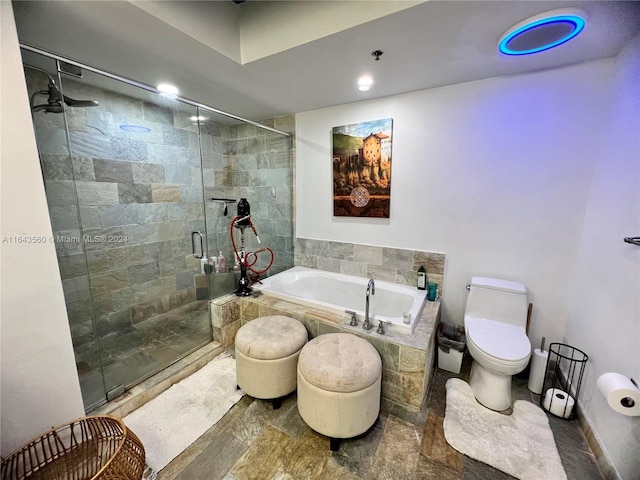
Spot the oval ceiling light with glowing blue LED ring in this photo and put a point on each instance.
(542, 32)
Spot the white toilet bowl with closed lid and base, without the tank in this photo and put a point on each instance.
(499, 350)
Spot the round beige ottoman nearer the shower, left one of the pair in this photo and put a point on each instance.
(267, 350)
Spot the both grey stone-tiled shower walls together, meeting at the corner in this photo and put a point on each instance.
(140, 196)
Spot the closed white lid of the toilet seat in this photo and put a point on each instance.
(498, 339)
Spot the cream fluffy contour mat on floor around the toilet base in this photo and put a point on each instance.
(520, 444)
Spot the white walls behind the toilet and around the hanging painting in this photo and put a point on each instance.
(533, 178)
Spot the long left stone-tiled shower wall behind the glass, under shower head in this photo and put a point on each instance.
(139, 197)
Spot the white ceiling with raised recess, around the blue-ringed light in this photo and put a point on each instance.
(262, 59)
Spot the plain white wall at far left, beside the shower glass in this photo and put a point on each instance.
(39, 383)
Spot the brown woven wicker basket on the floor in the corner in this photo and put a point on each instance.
(96, 447)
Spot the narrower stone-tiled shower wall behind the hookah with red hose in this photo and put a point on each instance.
(255, 164)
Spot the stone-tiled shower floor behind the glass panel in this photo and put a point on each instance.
(141, 350)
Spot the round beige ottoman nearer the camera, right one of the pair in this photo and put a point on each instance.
(339, 378)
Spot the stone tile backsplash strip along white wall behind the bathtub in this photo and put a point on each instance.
(381, 263)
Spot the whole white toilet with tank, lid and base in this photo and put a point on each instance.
(495, 320)
